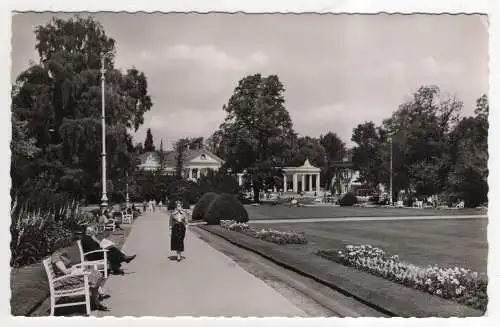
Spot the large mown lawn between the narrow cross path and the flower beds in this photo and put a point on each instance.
(442, 242)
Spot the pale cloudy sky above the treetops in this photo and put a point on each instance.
(338, 70)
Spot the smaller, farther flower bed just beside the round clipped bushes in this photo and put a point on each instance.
(269, 235)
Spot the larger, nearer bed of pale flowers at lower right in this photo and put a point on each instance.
(457, 284)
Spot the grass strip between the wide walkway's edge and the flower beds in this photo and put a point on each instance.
(385, 296)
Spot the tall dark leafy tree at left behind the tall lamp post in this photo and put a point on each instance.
(59, 99)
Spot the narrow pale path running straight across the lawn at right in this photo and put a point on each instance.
(340, 219)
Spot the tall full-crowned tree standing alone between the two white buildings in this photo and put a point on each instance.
(257, 131)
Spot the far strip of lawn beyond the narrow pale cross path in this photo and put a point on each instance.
(265, 211)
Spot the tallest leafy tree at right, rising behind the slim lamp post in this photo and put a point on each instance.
(421, 128)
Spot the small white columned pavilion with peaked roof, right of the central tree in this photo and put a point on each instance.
(309, 178)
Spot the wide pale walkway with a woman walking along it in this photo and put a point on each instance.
(206, 283)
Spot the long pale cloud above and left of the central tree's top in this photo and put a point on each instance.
(213, 58)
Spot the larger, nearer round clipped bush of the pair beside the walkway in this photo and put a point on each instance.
(225, 207)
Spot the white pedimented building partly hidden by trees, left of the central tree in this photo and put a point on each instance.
(195, 162)
